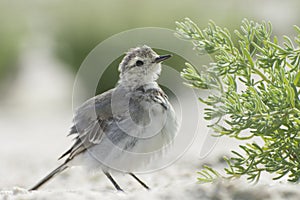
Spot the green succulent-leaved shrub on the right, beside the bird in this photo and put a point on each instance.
(255, 96)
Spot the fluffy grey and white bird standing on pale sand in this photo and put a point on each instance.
(135, 118)
